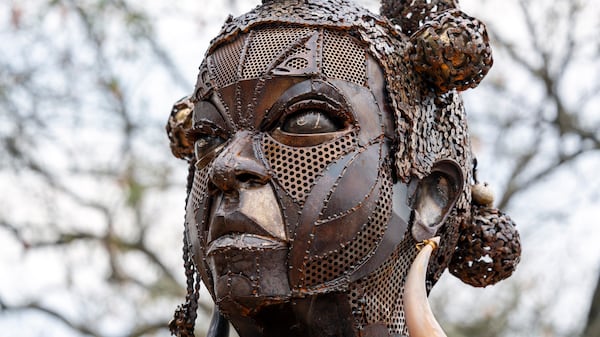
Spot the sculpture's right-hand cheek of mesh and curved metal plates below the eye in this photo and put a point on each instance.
(343, 194)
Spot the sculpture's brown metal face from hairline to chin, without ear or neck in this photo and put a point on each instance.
(293, 184)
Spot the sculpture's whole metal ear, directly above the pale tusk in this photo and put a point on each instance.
(434, 198)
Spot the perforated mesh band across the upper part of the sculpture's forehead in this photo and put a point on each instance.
(292, 51)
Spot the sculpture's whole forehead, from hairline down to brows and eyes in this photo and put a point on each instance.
(247, 75)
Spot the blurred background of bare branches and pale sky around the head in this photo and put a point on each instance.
(92, 202)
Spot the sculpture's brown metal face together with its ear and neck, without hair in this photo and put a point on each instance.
(293, 195)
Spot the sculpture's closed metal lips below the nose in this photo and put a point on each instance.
(244, 242)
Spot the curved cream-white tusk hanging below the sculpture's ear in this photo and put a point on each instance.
(419, 317)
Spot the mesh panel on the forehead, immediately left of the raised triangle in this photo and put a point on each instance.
(266, 45)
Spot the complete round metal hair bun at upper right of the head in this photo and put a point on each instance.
(451, 51)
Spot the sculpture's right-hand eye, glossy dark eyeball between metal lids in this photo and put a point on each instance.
(311, 121)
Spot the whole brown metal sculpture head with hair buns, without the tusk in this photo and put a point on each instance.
(324, 143)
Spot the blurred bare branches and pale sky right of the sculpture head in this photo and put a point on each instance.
(537, 132)
